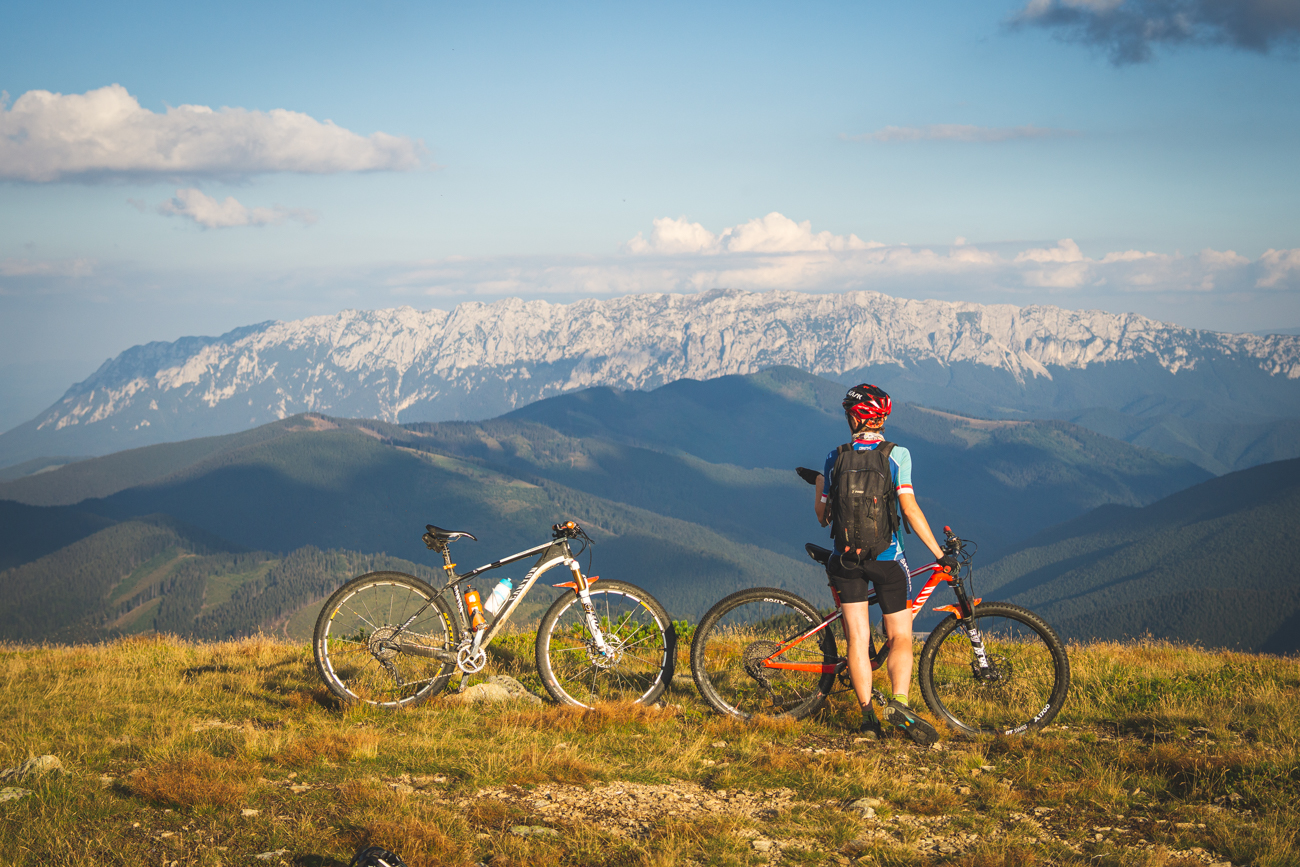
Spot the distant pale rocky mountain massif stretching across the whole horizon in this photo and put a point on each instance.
(484, 359)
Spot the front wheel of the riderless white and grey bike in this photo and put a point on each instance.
(640, 648)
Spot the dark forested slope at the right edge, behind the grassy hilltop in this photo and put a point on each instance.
(1214, 563)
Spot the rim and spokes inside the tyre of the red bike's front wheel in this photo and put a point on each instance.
(1012, 696)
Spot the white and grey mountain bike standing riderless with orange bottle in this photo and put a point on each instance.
(392, 640)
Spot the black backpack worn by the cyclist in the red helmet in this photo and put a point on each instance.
(864, 504)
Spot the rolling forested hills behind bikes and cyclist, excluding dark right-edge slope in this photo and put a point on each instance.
(687, 491)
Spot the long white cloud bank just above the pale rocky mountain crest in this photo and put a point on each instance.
(778, 253)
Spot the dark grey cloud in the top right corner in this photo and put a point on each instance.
(1129, 29)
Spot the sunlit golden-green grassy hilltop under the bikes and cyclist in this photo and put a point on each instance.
(185, 753)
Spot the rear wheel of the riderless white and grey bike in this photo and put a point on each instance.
(361, 652)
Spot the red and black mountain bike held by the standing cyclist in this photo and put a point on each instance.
(986, 669)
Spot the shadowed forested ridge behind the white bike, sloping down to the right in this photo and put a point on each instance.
(343, 489)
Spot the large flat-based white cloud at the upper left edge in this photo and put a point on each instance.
(105, 133)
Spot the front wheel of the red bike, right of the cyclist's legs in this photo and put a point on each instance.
(1025, 686)
